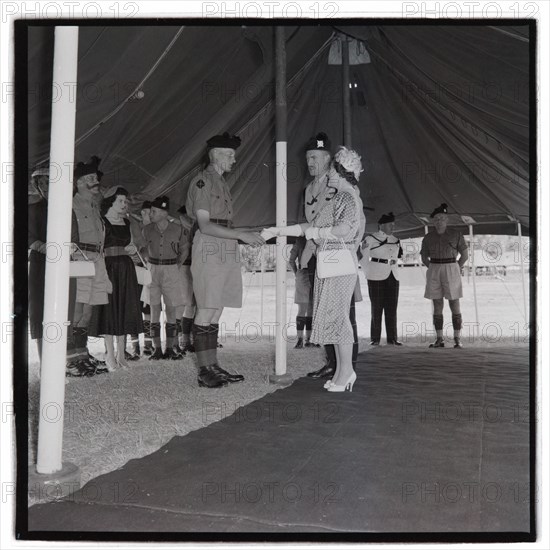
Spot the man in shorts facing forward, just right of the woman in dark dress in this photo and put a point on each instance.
(164, 241)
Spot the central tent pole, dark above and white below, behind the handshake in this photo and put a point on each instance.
(281, 182)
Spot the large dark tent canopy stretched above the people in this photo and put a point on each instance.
(440, 114)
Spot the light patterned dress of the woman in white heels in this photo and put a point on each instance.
(332, 296)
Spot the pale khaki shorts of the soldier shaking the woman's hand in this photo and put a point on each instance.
(216, 270)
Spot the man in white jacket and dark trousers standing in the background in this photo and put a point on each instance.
(381, 251)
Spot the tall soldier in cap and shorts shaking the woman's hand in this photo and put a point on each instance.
(215, 264)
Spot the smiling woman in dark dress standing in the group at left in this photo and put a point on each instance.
(122, 315)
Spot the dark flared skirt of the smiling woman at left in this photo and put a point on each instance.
(122, 315)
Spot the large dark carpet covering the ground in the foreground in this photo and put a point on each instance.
(429, 441)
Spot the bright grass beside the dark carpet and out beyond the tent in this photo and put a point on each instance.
(115, 417)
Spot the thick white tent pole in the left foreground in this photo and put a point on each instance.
(56, 295)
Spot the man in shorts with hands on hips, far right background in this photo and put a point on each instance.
(443, 279)
